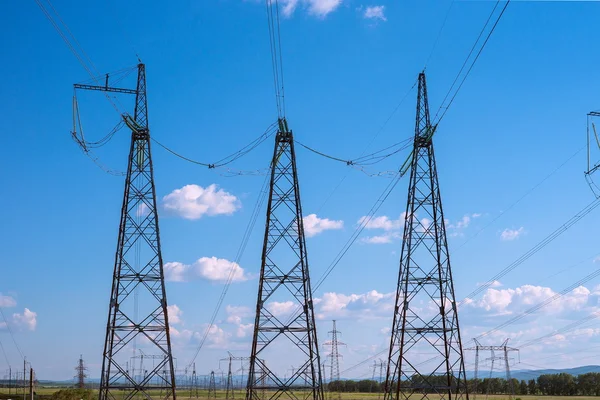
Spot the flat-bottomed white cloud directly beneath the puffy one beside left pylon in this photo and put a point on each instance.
(210, 268)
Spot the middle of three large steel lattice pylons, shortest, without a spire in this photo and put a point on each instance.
(284, 277)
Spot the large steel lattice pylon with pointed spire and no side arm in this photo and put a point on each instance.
(425, 355)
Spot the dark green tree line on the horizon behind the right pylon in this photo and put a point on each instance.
(561, 384)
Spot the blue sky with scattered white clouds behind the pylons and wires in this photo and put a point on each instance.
(519, 116)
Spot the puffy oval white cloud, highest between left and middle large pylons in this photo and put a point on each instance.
(193, 202)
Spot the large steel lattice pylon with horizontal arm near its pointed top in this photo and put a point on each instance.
(137, 317)
